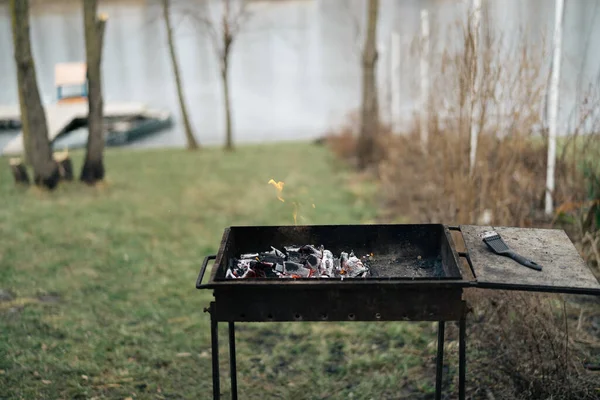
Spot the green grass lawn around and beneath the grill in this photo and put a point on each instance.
(103, 277)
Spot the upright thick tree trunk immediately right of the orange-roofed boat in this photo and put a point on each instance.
(93, 167)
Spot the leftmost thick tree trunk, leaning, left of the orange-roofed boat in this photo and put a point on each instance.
(33, 118)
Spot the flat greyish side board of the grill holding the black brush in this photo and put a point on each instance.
(564, 271)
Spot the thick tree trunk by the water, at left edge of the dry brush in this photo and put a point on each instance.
(370, 108)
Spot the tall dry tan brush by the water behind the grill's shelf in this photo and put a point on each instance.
(499, 92)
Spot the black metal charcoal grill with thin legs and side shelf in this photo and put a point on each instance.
(417, 275)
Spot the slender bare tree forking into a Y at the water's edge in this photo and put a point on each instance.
(222, 35)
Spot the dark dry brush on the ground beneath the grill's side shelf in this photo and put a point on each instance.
(524, 349)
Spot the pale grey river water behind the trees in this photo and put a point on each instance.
(295, 66)
